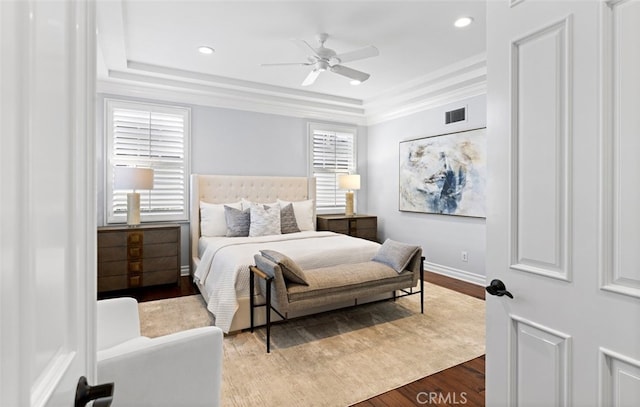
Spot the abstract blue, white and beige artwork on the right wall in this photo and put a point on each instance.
(444, 174)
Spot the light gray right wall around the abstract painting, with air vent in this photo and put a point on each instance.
(442, 237)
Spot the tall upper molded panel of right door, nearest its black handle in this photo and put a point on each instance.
(541, 146)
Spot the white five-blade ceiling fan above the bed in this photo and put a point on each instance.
(326, 59)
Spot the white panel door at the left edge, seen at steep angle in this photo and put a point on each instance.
(47, 205)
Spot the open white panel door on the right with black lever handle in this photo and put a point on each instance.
(563, 219)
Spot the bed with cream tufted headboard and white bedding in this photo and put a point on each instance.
(220, 264)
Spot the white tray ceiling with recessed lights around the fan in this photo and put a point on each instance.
(155, 43)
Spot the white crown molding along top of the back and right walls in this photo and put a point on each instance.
(462, 80)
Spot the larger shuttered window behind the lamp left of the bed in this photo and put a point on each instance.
(149, 136)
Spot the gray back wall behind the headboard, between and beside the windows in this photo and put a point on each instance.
(234, 142)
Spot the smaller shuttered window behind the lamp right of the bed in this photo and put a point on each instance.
(333, 152)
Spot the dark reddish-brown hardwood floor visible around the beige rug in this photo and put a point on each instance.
(459, 385)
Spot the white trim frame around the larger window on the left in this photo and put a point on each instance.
(108, 165)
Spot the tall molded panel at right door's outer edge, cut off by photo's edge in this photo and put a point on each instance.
(620, 195)
